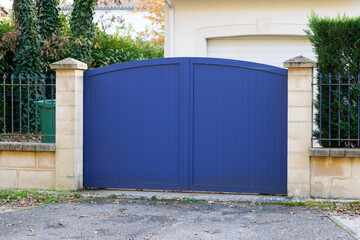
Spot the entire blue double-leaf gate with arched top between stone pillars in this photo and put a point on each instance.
(198, 124)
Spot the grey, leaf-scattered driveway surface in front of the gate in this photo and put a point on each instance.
(152, 219)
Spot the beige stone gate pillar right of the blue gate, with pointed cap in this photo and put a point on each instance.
(300, 76)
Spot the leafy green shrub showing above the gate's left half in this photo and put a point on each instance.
(121, 47)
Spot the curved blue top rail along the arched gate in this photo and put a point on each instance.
(188, 60)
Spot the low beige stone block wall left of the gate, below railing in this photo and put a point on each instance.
(26, 167)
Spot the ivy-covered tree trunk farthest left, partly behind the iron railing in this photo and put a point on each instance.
(27, 60)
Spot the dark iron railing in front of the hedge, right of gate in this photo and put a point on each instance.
(337, 110)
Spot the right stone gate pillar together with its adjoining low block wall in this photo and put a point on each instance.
(323, 173)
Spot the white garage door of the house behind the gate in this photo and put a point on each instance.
(272, 50)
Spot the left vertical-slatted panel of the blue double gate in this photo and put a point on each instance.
(133, 128)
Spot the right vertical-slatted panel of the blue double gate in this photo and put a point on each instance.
(237, 113)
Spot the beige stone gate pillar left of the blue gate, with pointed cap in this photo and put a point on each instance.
(69, 124)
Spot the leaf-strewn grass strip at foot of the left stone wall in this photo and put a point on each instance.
(34, 197)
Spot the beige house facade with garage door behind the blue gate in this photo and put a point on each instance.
(263, 31)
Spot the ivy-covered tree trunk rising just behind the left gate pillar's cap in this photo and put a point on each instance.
(82, 29)
